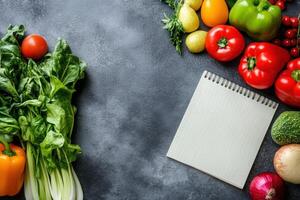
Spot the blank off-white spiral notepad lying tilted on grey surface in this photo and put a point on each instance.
(222, 129)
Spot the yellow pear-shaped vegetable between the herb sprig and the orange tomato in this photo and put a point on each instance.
(189, 18)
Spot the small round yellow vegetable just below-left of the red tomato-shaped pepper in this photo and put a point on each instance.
(195, 41)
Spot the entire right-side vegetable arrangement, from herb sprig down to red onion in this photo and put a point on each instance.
(270, 61)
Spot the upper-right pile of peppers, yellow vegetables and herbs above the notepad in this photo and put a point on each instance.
(262, 63)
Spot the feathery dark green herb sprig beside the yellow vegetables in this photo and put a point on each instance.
(173, 25)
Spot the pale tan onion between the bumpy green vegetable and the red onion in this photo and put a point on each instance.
(287, 163)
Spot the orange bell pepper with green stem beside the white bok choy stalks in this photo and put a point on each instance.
(12, 168)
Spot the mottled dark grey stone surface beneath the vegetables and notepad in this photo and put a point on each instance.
(136, 91)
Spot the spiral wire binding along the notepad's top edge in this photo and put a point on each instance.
(239, 89)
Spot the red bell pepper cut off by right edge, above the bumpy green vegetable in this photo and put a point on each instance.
(287, 85)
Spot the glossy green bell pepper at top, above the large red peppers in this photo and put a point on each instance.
(258, 18)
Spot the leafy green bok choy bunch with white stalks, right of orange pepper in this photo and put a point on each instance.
(46, 124)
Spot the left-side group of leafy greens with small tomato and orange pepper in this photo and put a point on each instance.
(36, 111)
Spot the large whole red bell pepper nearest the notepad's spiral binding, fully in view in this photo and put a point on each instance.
(261, 63)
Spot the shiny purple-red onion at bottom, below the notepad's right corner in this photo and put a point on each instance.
(267, 186)
